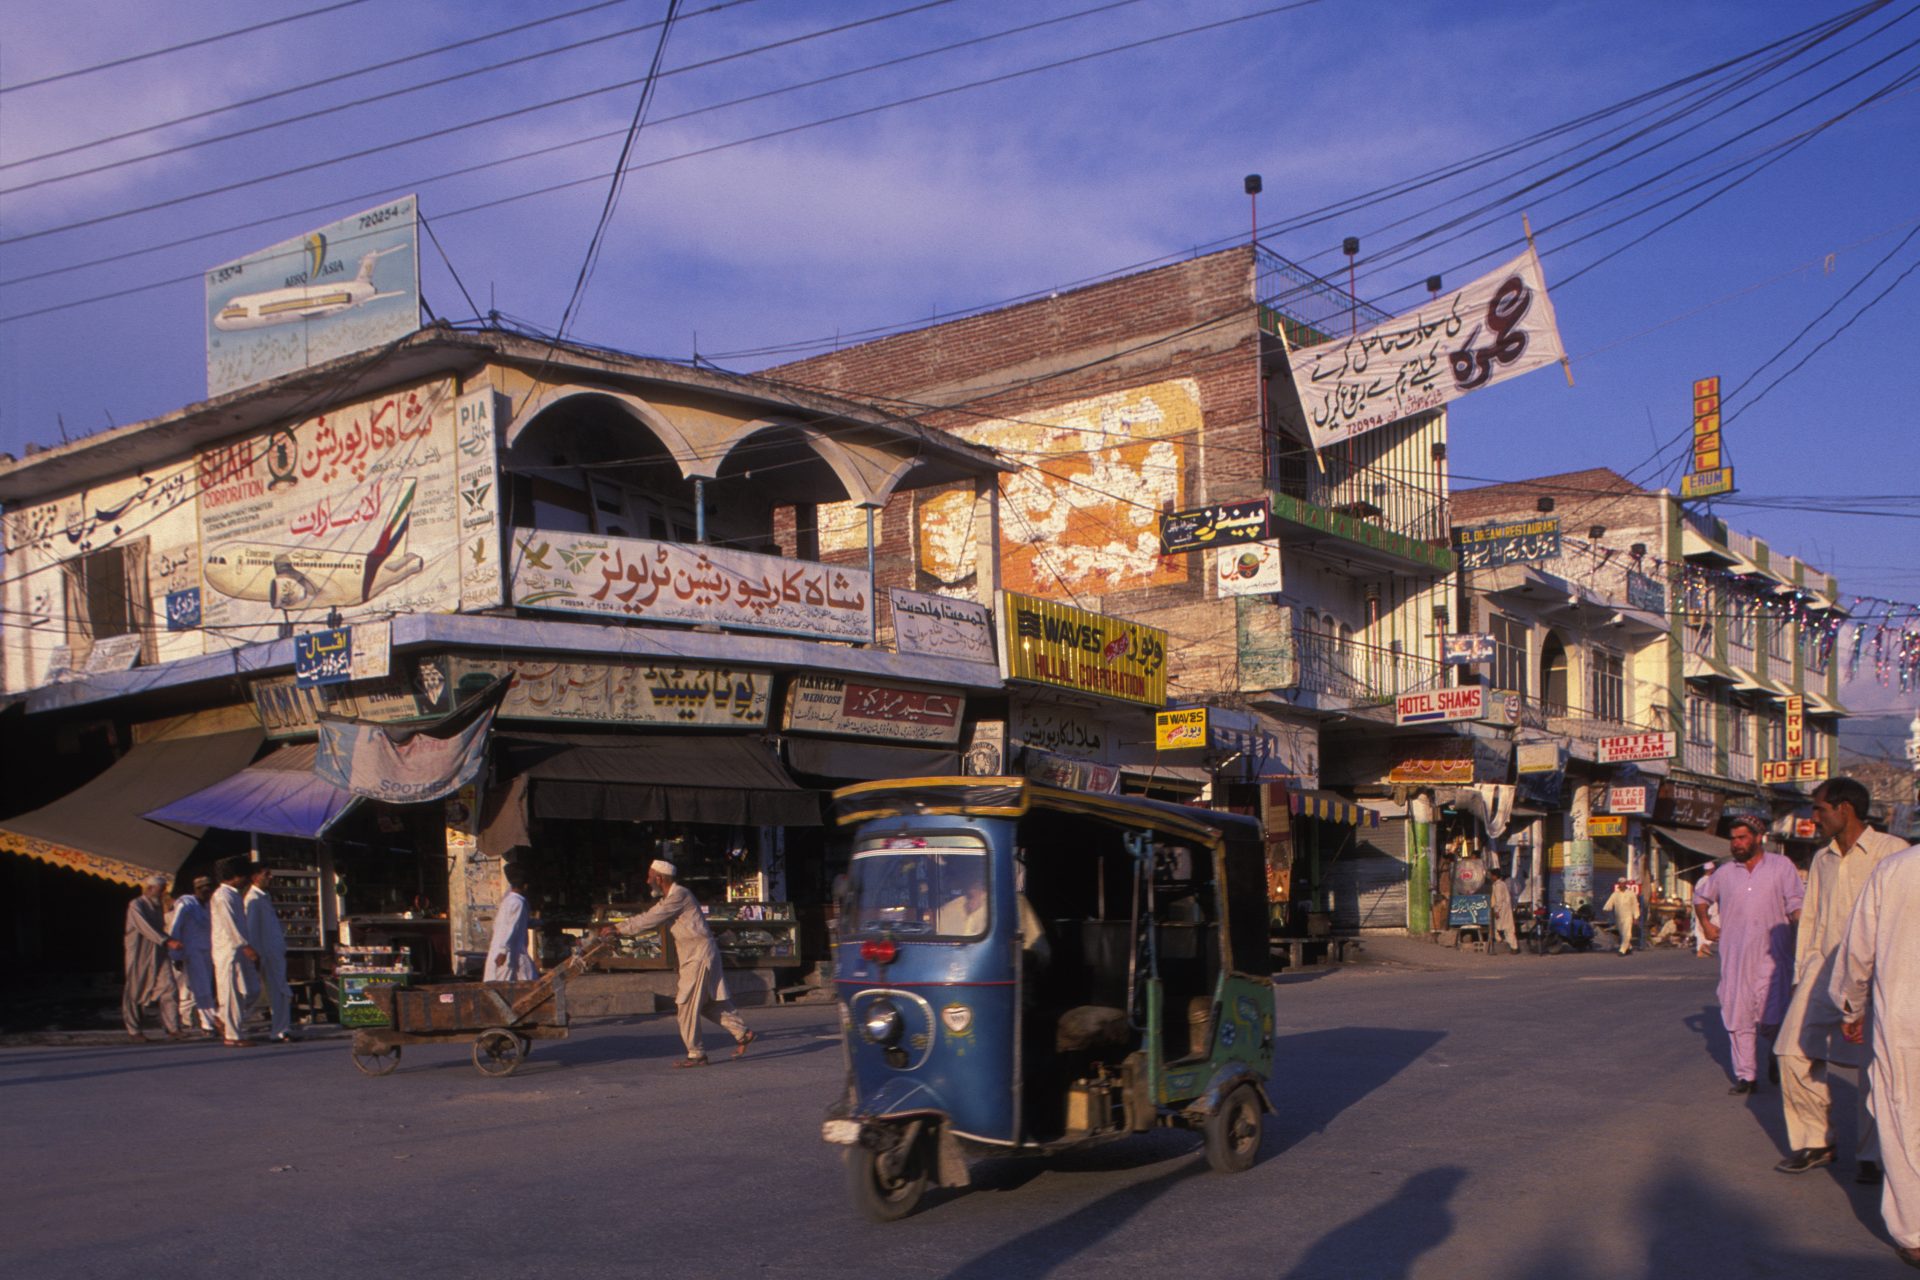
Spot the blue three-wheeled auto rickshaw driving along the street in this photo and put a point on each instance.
(1022, 970)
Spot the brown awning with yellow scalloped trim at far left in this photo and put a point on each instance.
(99, 830)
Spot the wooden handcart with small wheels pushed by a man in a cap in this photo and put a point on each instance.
(502, 1018)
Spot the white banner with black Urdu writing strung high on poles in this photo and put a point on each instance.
(1499, 327)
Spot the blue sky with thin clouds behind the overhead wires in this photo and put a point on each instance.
(1005, 191)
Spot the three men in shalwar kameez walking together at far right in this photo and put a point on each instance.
(1823, 970)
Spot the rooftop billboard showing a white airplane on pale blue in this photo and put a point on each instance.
(343, 289)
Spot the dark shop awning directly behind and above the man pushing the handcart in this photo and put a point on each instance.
(658, 778)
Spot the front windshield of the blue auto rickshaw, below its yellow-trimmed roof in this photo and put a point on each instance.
(919, 888)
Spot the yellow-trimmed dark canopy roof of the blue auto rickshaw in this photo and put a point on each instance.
(1015, 797)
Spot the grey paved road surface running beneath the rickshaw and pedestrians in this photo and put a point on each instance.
(1510, 1118)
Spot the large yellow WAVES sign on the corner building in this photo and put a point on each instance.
(1074, 650)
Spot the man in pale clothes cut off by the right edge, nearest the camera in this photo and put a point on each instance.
(1877, 980)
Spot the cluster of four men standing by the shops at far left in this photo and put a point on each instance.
(208, 959)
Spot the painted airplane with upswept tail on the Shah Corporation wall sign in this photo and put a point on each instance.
(314, 579)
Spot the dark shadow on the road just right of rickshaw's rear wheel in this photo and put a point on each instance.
(1322, 1074)
